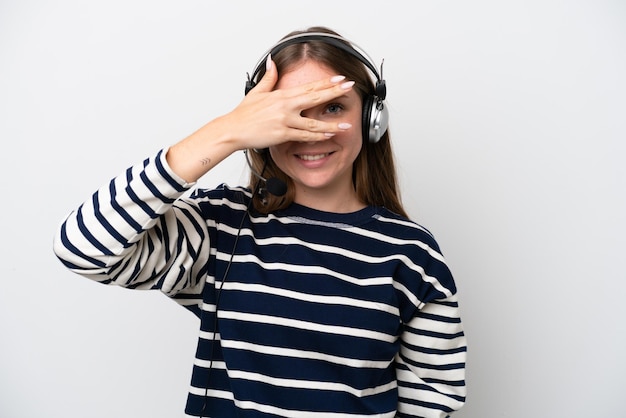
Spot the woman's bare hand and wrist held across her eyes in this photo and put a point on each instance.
(266, 116)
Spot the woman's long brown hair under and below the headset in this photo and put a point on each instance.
(374, 173)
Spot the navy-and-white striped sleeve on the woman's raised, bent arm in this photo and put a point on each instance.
(136, 233)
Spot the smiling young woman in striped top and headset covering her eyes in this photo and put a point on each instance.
(317, 296)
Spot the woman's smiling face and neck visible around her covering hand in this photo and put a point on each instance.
(322, 170)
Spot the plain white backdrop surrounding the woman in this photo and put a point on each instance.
(508, 124)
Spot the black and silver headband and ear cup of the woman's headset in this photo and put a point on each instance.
(375, 115)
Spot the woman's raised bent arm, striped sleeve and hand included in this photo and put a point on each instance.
(135, 231)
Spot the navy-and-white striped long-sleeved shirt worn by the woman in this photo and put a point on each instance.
(318, 314)
